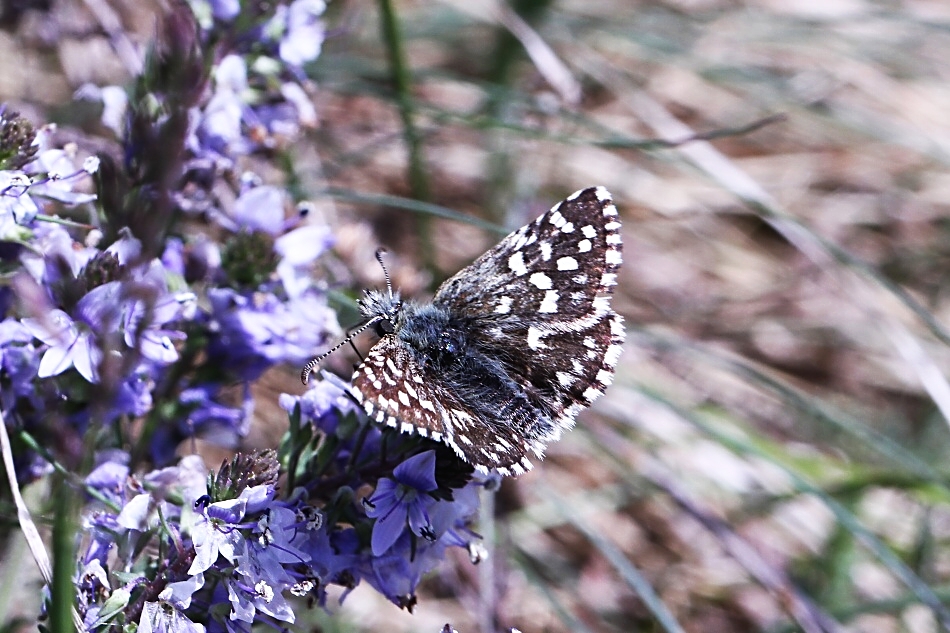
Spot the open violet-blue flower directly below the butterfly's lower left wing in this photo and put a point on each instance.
(401, 500)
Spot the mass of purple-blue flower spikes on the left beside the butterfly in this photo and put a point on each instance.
(151, 287)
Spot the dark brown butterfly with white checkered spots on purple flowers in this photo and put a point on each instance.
(510, 349)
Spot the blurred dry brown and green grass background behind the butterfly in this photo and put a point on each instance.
(773, 453)
